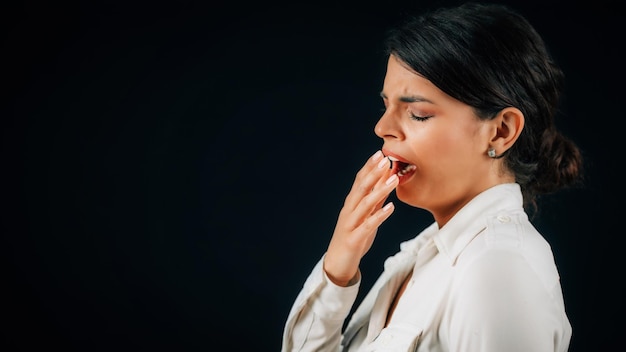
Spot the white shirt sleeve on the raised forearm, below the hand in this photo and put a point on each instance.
(318, 313)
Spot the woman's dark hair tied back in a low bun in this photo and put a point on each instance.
(490, 57)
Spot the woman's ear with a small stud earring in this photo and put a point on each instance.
(508, 126)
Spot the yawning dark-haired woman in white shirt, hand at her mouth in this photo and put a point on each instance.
(468, 134)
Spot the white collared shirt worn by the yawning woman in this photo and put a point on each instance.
(486, 281)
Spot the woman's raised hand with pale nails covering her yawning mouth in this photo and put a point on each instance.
(359, 219)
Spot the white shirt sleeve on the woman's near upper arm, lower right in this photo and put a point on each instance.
(503, 305)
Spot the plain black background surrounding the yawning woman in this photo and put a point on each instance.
(173, 170)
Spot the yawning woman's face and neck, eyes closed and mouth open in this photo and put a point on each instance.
(439, 141)
